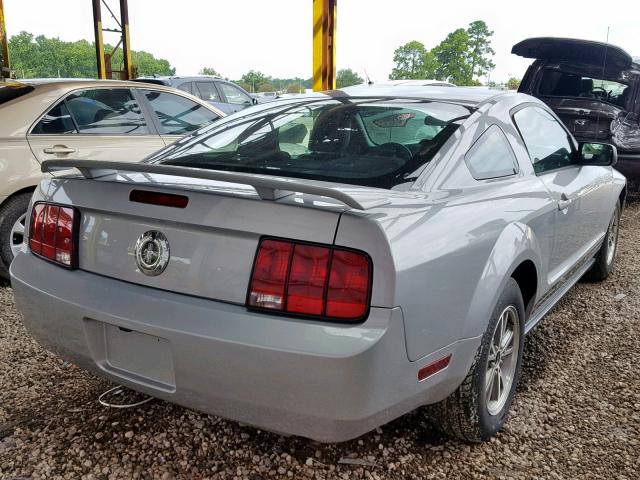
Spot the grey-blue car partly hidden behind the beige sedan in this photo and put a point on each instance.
(224, 95)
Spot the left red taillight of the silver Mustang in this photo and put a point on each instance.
(53, 233)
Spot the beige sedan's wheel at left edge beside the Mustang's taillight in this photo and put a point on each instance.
(12, 215)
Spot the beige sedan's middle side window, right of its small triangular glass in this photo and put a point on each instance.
(111, 111)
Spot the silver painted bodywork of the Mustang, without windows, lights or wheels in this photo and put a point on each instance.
(442, 251)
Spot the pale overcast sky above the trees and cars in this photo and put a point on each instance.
(275, 36)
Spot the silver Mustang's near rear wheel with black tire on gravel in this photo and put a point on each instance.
(478, 409)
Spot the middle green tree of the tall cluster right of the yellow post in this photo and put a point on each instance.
(451, 55)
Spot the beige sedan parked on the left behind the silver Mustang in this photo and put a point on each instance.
(81, 119)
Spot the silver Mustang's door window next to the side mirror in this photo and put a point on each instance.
(547, 142)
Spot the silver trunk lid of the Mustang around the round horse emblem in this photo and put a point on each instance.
(212, 241)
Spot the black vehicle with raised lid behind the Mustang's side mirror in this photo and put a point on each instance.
(593, 87)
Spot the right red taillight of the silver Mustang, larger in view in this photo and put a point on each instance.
(304, 279)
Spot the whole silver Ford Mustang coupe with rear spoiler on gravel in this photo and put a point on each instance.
(323, 264)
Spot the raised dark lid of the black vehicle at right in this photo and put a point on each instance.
(573, 50)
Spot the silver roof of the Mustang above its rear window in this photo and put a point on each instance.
(469, 96)
